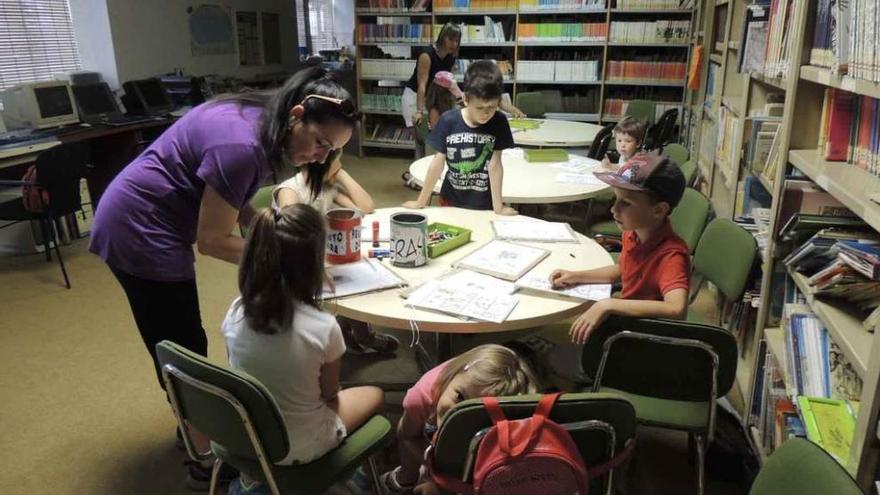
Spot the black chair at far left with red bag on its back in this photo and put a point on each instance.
(59, 170)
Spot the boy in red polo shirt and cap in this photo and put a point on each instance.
(654, 265)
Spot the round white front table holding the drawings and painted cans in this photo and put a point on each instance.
(386, 308)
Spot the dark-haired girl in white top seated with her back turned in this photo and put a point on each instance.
(277, 332)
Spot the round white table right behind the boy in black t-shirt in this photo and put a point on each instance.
(531, 183)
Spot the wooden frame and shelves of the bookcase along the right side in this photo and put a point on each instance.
(801, 88)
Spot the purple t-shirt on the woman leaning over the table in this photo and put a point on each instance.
(145, 224)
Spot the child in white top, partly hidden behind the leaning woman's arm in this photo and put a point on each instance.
(322, 190)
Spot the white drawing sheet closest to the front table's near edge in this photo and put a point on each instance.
(467, 303)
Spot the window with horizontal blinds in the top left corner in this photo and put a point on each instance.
(36, 41)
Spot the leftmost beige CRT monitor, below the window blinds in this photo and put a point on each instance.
(39, 105)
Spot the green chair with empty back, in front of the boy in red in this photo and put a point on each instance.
(671, 371)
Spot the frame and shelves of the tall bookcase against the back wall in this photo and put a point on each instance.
(512, 15)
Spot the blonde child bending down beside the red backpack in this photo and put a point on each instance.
(486, 370)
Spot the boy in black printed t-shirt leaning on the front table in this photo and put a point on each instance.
(470, 141)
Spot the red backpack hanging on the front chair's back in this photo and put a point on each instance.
(528, 456)
